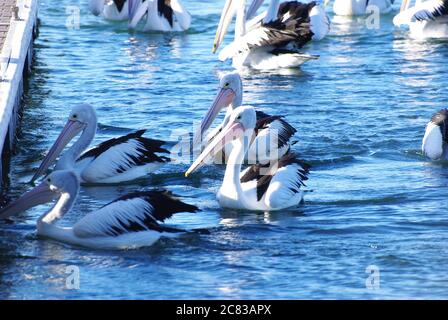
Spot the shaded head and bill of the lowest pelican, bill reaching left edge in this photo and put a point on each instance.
(52, 187)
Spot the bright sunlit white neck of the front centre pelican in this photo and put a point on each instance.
(234, 162)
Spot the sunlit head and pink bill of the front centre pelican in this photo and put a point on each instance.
(241, 123)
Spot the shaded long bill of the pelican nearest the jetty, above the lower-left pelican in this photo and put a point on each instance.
(71, 130)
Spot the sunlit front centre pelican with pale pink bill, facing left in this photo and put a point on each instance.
(270, 187)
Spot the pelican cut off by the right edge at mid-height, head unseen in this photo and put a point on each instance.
(435, 141)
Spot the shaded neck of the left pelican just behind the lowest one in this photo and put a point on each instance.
(68, 159)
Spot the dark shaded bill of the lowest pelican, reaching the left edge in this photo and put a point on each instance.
(39, 195)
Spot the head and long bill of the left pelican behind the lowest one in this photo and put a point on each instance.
(80, 118)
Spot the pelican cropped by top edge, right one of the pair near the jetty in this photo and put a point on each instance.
(161, 15)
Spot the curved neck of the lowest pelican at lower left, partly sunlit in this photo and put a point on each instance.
(62, 206)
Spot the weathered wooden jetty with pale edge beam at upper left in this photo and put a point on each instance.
(18, 28)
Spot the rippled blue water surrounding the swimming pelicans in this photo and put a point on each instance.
(360, 111)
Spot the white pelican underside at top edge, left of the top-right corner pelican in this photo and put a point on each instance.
(359, 7)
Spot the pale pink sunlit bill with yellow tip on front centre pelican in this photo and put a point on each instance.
(232, 131)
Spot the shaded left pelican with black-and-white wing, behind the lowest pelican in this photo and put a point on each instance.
(116, 160)
